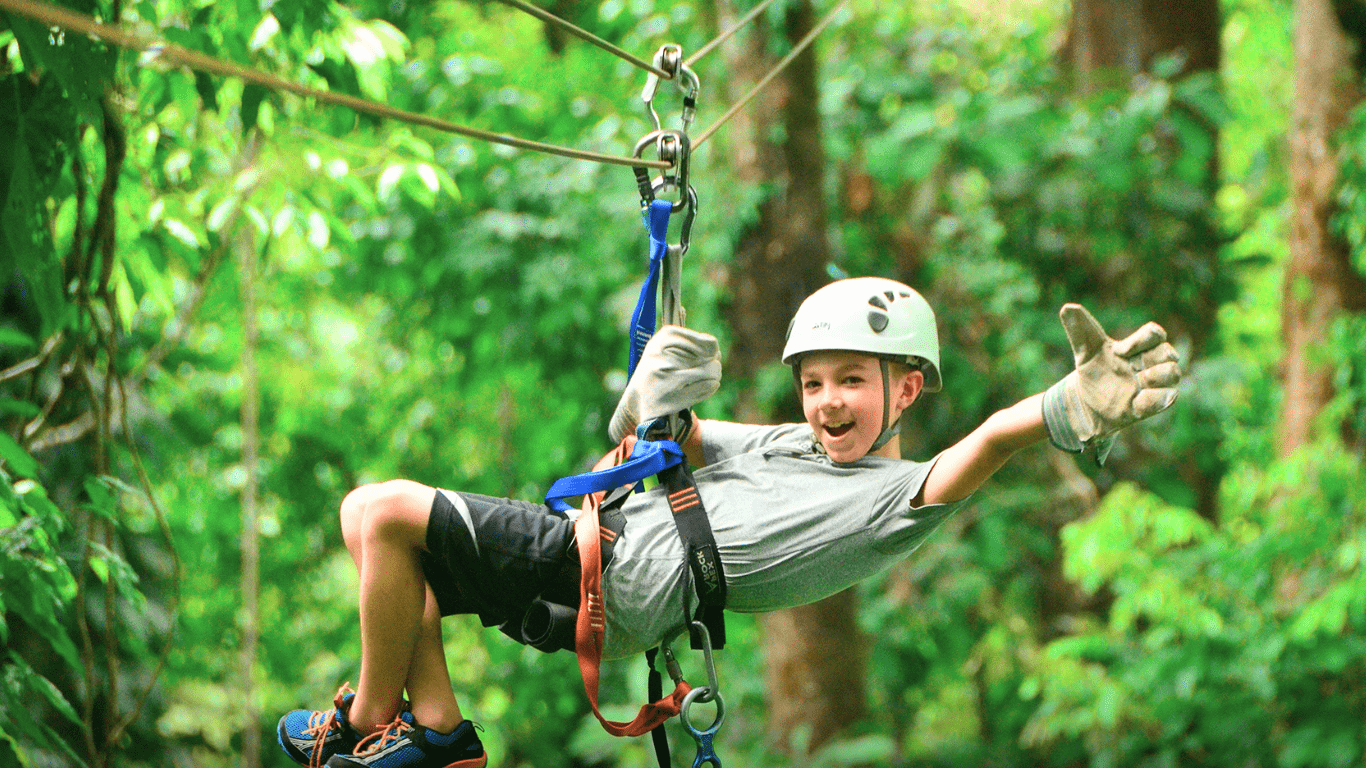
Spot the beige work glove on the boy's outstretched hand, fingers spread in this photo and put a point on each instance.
(1115, 383)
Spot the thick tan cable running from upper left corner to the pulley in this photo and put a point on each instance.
(159, 50)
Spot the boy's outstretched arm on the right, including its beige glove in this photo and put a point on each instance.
(1115, 385)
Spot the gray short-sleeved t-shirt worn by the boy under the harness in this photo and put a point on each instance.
(792, 527)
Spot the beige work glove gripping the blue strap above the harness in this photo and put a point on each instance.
(678, 370)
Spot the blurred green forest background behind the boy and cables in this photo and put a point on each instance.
(226, 307)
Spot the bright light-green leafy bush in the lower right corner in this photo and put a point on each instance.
(1215, 633)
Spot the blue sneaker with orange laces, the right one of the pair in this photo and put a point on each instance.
(405, 744)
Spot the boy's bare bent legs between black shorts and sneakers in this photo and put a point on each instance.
(385, 527)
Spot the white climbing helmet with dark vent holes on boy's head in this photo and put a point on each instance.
(868, 315)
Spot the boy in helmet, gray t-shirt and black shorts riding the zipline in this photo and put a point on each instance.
(798, 512)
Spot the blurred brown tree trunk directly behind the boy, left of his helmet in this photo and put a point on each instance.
(815, 655)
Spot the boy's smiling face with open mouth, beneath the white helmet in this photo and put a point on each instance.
(842, 398)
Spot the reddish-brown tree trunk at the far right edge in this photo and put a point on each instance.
(1320, 282)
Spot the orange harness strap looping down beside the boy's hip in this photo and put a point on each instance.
(592, 621)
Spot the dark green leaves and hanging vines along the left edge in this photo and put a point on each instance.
(68, 404)
